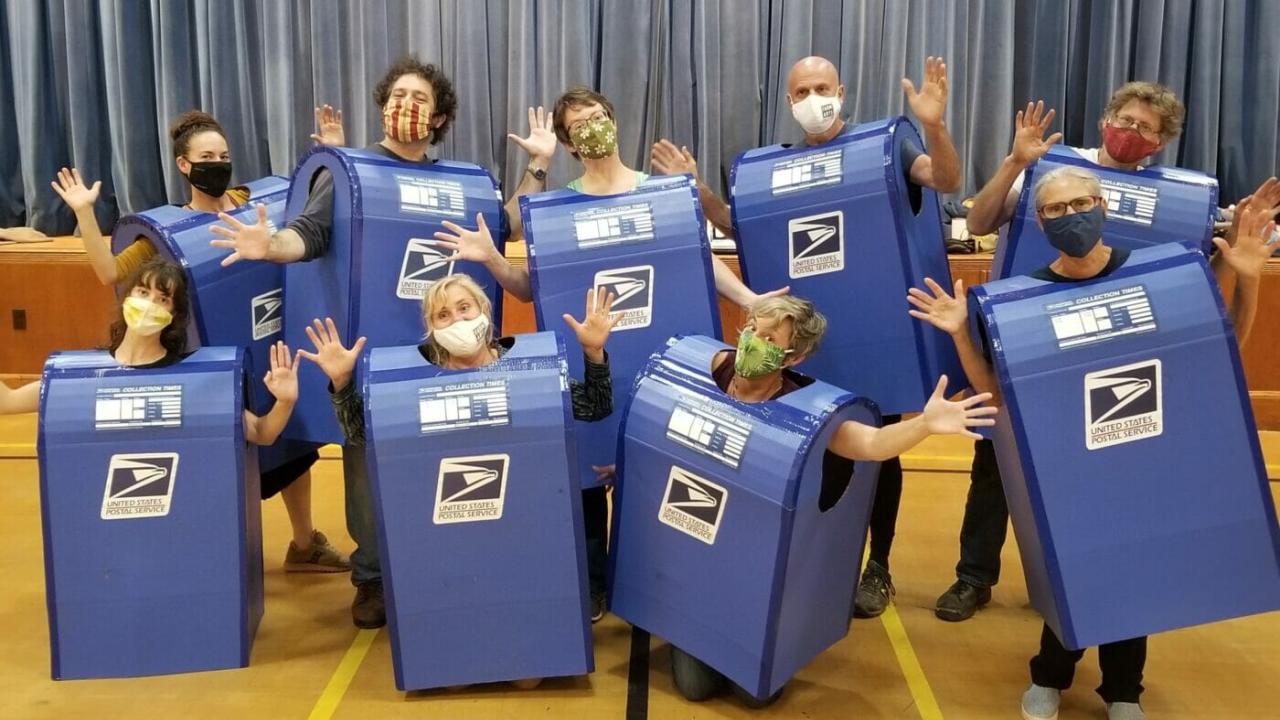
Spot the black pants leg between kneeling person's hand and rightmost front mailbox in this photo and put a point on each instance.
(986, 521)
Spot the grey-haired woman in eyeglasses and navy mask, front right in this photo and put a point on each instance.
(1071, 211)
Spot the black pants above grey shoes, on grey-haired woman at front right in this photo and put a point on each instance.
(1122, 667)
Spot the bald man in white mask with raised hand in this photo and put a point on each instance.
(816, 95)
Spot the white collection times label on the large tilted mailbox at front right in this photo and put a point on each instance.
(1105, 316)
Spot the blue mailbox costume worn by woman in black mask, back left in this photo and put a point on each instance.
(237, 307)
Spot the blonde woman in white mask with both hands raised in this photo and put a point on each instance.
(459, 322)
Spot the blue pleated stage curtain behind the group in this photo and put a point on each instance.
(97, 84)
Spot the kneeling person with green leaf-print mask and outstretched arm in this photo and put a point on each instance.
(780, 334)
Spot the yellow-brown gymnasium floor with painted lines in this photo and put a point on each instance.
(309, 662)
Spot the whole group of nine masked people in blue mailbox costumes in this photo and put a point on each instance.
(367, 293)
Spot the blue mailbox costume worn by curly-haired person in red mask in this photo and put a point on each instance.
(1145, 208)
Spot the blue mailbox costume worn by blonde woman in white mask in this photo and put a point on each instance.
(481, 521)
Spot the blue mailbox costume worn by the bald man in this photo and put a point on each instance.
(842, 225)
